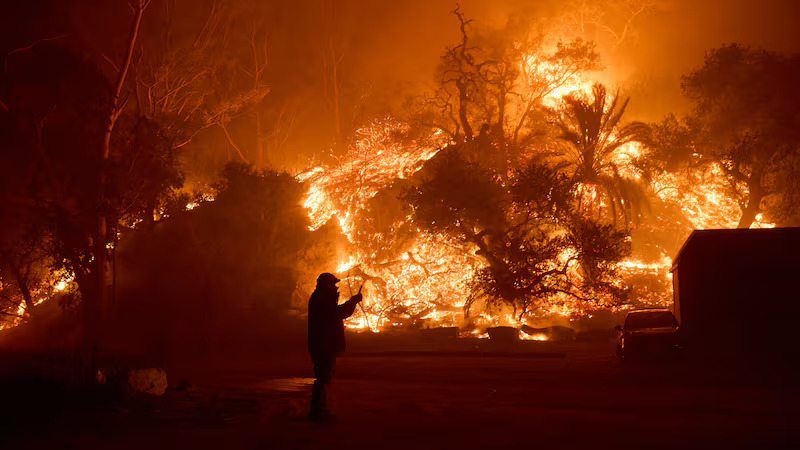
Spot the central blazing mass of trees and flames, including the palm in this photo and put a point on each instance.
(424, 276)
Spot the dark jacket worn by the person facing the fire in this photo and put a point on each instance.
(326, 322)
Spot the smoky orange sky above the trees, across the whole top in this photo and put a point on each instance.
(388, 51)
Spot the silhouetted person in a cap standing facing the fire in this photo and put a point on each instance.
(326, 336)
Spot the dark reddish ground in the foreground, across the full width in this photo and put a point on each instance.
(545, 395)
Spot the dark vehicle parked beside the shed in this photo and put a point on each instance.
(649, 333)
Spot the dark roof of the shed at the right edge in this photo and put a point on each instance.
(783, 241)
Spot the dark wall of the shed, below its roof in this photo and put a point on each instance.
(738, 303)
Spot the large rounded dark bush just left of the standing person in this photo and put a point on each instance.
(203, 279)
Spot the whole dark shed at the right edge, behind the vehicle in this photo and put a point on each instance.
(739, 290)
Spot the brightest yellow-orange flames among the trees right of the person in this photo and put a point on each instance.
(427, 284)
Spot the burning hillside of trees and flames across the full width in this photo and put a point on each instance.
(512, 188)
